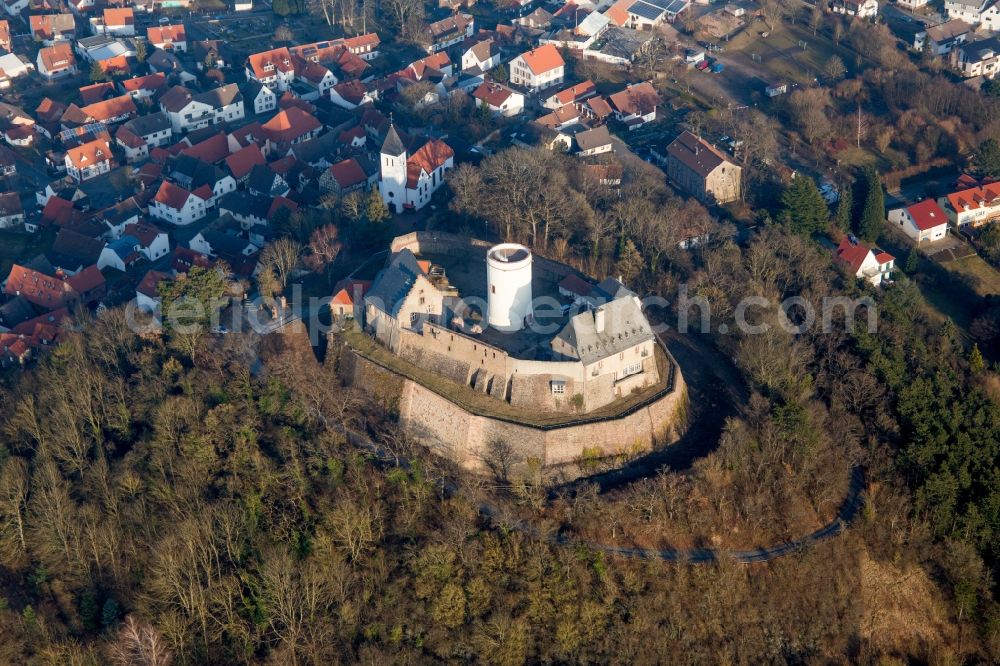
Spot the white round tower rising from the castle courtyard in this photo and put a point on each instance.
(508, 276)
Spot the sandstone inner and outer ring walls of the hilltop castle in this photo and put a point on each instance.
(463, 436)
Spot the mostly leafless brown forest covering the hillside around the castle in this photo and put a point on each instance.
(161, 503)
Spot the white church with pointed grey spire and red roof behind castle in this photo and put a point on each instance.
(407, 181)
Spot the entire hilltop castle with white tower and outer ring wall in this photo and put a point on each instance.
(484, 344)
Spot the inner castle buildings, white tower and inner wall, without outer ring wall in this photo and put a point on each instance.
(578, 352)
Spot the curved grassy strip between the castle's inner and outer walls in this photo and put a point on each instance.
(480, 403)
